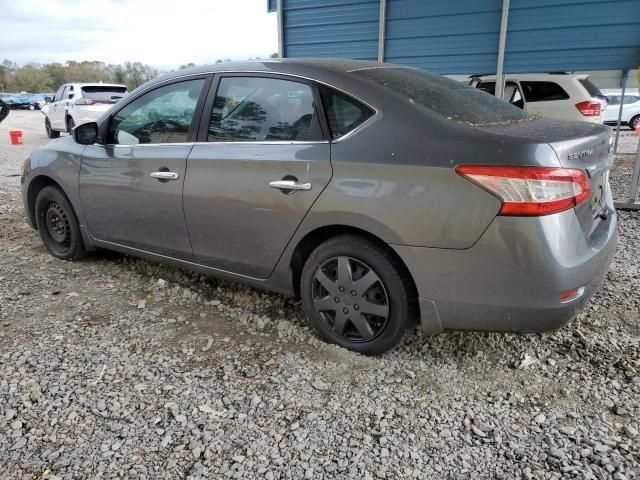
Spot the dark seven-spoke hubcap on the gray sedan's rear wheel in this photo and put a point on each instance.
(350, 299)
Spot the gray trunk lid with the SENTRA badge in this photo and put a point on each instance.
(578, 145)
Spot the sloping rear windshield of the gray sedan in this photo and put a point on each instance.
(444, 96)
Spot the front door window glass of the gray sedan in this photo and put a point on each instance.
(163, 115)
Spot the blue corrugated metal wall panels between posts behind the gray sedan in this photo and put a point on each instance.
(461, 36)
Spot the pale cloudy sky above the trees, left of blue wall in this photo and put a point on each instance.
(161, 33)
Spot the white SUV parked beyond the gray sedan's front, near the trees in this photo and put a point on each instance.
(77, 103)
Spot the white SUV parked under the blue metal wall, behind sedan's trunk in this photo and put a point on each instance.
(555, 95)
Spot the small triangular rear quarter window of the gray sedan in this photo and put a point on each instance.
(344, 113)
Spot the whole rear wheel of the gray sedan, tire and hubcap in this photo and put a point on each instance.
(365, 260)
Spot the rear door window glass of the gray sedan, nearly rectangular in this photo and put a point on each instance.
(262, 109)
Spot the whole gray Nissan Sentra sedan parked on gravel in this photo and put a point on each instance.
(379, 194)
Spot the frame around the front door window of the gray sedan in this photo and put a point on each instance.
(103, 125)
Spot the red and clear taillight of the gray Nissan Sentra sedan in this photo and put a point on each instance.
(530, 191)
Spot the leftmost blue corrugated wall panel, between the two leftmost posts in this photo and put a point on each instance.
(331, 28)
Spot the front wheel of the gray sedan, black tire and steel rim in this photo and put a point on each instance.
(58, 225)
